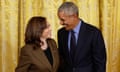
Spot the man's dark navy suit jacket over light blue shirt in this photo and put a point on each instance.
(90, 53)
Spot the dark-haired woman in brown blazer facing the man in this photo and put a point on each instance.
(40, 52)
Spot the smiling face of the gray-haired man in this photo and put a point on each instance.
(66, 20)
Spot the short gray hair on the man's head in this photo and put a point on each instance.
(69, 8)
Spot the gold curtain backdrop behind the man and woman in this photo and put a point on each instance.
(14, 15)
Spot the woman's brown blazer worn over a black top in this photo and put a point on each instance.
(34, 60)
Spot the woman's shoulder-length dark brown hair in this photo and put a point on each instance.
(34, 30)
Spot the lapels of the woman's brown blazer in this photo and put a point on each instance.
(41, 57)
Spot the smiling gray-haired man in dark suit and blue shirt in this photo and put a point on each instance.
(81, 45)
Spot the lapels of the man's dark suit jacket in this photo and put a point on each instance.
(80, 42)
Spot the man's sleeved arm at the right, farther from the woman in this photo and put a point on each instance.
(99, 52)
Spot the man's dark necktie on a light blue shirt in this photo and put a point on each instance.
(72, 45)
